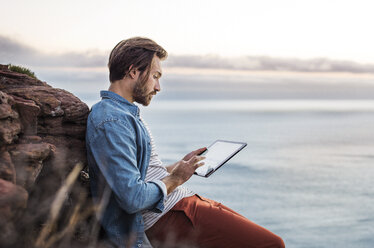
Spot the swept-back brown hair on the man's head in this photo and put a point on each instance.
(136, 51)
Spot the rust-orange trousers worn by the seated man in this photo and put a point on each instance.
(199, 222)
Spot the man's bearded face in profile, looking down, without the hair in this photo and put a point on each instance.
(145, 89)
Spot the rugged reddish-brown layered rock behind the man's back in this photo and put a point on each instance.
(42, 133)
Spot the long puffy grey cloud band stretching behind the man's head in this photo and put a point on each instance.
(12, 51)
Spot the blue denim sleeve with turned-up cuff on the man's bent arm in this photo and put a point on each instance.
(113, 148)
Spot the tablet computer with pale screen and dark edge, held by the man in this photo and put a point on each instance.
(217, 154)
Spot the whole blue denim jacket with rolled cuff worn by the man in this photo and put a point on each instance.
(118, 153)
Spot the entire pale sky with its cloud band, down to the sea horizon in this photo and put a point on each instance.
(289, 49)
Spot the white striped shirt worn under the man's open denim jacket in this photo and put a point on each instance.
(156, 170)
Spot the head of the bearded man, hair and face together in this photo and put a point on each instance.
(137, 55)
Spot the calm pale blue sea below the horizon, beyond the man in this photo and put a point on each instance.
(306, 174)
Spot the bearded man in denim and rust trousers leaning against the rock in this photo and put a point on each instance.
(144, 195)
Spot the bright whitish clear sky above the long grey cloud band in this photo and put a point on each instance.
(337, 30)
